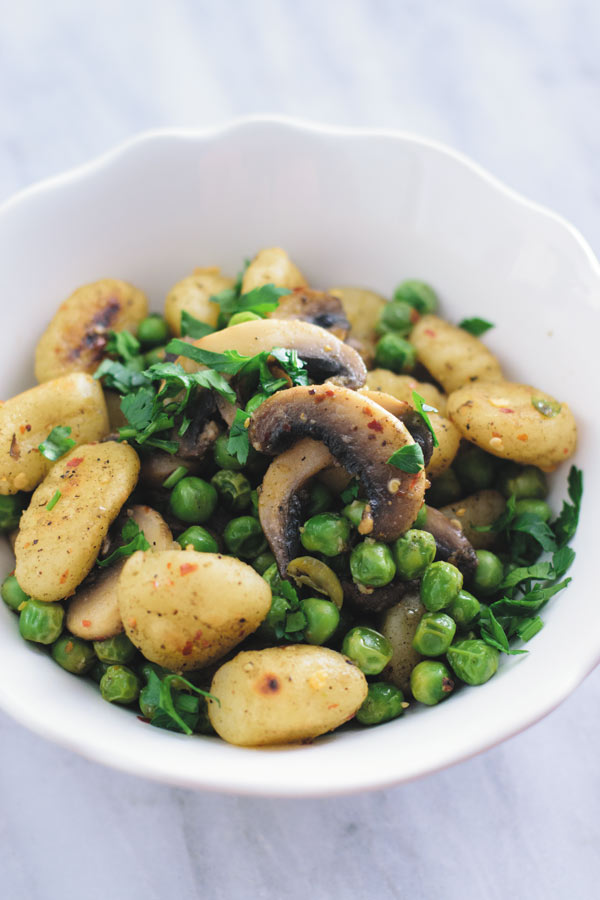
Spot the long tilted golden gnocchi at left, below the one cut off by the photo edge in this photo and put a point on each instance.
(57, 548)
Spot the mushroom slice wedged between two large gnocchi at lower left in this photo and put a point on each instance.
(93, 613)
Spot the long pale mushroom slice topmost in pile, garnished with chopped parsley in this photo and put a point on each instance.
(326, 357)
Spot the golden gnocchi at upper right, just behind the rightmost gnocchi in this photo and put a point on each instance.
(452, 355)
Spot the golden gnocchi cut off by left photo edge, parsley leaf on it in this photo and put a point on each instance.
(74, 400)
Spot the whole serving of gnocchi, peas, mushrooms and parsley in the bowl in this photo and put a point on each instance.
(255, 490)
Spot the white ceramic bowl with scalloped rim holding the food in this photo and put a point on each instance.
(352, 207)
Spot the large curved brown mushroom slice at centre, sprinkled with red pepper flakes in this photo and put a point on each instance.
(361, 435)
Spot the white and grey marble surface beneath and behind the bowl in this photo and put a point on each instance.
(516, 85)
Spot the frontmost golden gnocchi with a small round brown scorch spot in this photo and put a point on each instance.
(284, 694)
